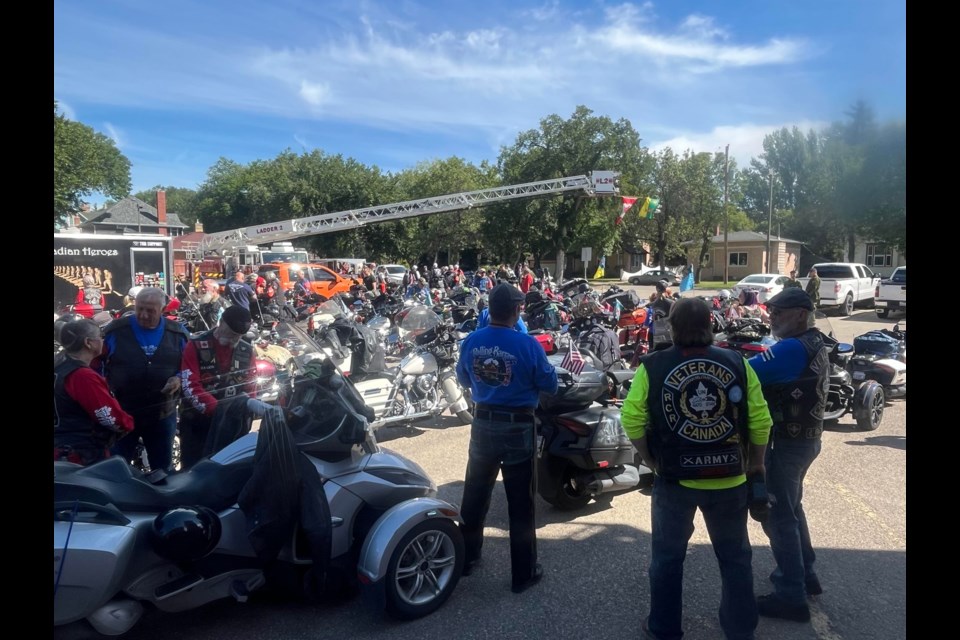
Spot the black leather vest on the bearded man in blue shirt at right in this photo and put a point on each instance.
(797, 406)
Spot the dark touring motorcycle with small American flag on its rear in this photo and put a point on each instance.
(582, 449)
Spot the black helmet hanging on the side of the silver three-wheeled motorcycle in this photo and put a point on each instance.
(186, 533)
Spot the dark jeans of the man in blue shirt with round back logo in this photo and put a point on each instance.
(506, 447)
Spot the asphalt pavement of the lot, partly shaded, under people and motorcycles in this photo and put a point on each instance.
(595, 560)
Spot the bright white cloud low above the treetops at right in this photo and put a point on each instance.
(745, 140)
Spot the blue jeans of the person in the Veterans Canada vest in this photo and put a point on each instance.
(725, 514)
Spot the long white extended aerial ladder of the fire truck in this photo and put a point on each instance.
(596, 183)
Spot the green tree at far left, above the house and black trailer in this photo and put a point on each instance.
(84, 161)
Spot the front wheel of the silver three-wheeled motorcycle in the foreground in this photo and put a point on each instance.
(424, 569)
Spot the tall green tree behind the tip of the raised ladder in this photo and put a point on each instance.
(559, 148)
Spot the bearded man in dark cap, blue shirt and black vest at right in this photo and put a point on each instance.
(795, 374)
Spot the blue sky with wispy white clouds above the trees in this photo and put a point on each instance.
(391, 83)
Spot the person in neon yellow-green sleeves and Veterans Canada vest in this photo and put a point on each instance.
(696, 415)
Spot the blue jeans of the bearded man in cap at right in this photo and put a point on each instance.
(787, 462)
